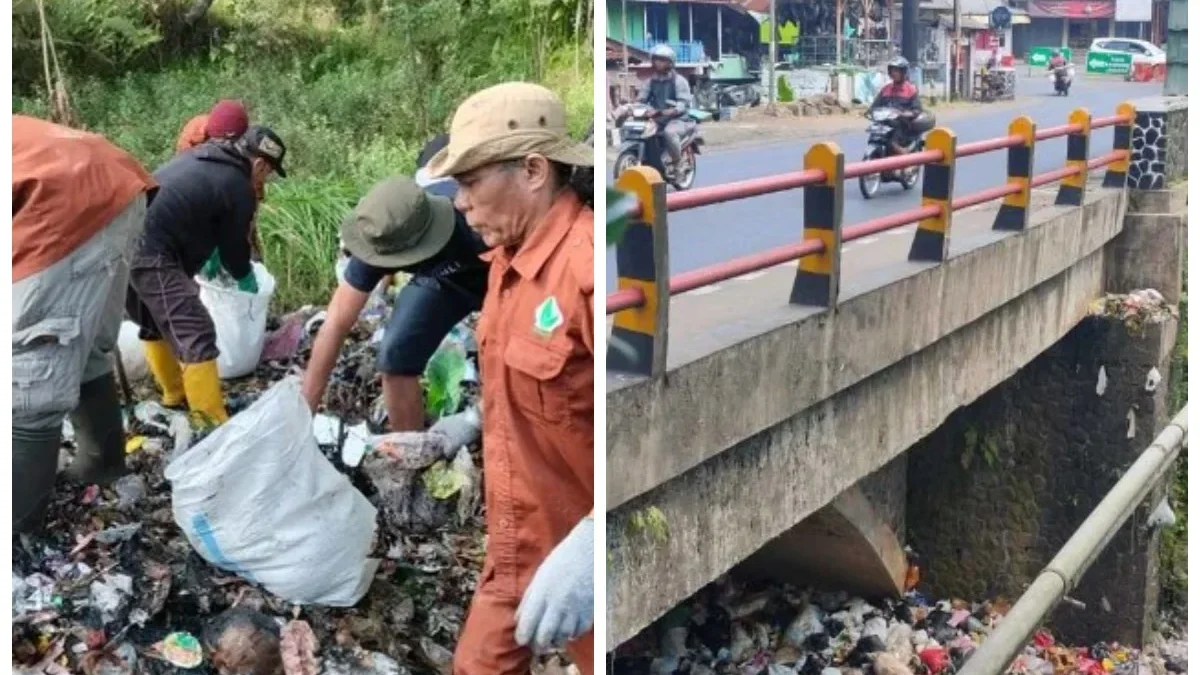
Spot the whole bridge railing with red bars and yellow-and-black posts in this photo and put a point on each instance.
(645, 284)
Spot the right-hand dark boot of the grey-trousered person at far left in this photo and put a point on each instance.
(100, 434)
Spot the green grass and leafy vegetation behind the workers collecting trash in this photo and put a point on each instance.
(356, 88)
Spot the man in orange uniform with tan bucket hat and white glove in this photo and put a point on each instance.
(512, 156)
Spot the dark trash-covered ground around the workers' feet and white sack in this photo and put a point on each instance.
(113, 586)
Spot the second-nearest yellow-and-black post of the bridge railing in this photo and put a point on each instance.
(818, 277)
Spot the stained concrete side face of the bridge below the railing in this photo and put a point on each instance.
(730, 479)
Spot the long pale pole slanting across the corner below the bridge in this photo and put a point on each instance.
(1061, 576)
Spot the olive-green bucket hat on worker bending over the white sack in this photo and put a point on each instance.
(398, 225)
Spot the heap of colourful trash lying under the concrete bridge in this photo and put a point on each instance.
(733, 630)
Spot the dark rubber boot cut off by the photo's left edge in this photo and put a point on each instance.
(35, 463)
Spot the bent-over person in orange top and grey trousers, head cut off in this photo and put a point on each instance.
(79, 207)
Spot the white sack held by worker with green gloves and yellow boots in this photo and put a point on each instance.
(241, 320)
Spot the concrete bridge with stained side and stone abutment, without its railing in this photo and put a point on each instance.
(931, 407)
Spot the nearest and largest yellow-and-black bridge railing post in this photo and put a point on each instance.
(639, 342)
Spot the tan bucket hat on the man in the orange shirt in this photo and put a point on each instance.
(508, 122)
